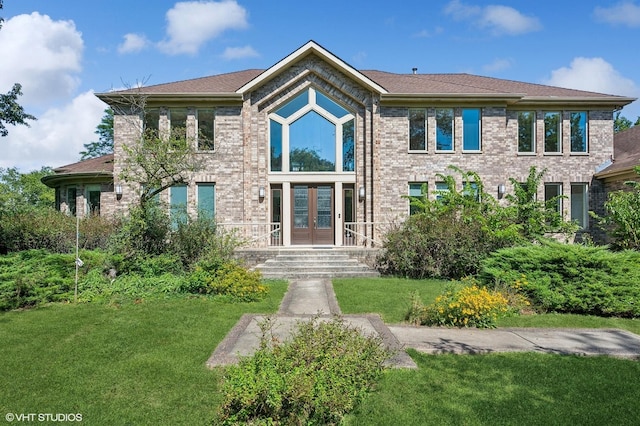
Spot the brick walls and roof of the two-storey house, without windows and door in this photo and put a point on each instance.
(384, 166)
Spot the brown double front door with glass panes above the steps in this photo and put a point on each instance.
(312, 214)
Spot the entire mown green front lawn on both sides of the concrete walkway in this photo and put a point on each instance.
(144, 363)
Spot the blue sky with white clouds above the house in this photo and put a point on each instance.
(63, 52)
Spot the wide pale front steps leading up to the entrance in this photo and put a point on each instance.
(314, 263)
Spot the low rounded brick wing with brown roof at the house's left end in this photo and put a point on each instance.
(85, 187)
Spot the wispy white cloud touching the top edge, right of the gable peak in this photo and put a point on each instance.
(496, 18)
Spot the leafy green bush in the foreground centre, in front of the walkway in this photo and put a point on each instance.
(315, 378)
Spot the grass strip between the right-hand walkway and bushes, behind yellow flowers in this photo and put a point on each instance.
(390, 298)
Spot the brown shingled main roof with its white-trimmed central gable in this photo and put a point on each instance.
(390, 86)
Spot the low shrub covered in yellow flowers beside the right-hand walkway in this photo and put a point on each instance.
(469, 306)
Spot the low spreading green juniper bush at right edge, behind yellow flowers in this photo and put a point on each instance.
(570, 278)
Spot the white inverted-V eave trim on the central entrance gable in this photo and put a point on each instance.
(307, 49)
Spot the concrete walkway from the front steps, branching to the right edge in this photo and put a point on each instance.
(306, 299)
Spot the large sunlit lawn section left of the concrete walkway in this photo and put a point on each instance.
(139, 364)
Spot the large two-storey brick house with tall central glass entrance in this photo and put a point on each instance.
(315, 152)
